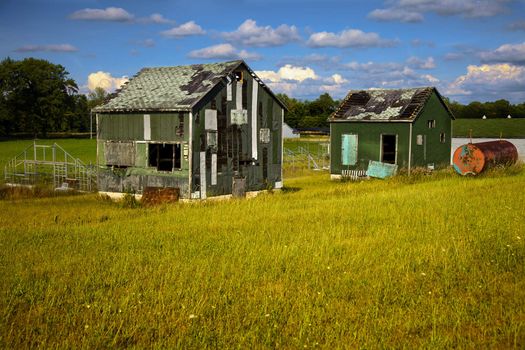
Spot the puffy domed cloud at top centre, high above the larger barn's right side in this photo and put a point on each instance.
(250, 34)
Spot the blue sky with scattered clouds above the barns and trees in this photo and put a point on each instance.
(470, 50)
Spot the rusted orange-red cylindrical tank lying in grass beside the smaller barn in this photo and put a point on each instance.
(473, 158)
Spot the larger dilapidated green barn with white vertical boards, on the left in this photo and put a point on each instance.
(204, 129)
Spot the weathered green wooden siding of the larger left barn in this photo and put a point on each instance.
(166, 128)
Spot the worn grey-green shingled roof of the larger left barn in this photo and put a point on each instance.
(165, 89)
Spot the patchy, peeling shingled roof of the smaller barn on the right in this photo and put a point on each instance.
(384, 105)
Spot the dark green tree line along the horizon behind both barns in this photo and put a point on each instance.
(38, 97)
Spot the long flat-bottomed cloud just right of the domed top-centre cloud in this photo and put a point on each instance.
(348, 38)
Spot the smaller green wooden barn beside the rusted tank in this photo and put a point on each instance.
(406, 127)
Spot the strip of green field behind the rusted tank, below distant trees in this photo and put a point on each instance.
(509, 128)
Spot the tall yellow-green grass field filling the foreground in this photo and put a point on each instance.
(427, 262)
